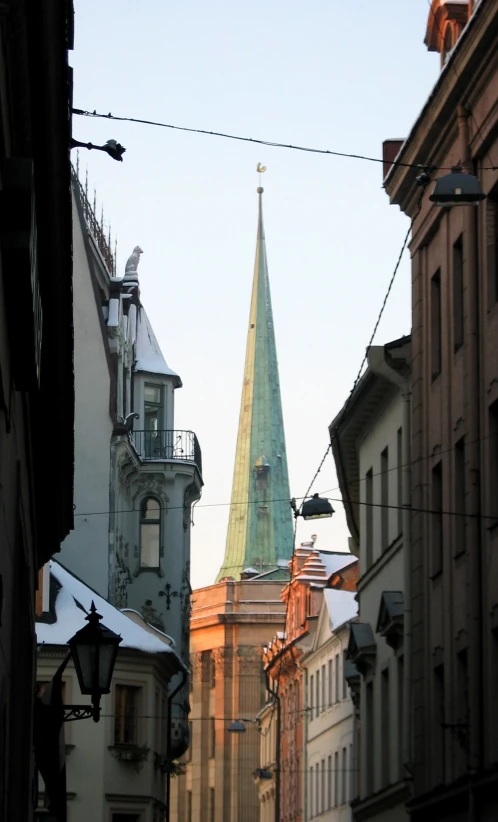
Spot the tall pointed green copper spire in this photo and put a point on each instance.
(260, 531)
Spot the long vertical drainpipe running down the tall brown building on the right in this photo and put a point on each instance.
(473, 523)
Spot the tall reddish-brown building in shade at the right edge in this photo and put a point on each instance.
(454, 400)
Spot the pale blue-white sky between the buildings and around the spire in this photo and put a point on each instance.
(325, 74)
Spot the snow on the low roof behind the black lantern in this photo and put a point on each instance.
(74, 596)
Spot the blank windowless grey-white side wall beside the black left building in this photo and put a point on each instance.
(85, 550)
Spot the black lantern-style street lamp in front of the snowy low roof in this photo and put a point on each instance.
(94, 649)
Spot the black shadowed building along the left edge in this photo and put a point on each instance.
(36, 350)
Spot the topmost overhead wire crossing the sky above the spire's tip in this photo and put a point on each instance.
(257, 141)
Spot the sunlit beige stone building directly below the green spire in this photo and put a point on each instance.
(231, 622)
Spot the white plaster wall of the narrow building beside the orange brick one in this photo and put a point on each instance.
(330, 731)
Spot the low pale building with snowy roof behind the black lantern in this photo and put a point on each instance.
(116, 768)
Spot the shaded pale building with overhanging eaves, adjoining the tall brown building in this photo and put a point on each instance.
(371, 445)
